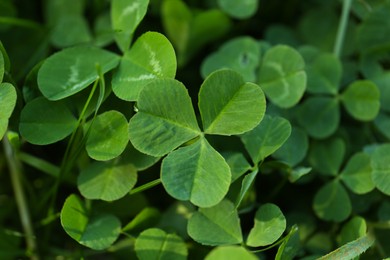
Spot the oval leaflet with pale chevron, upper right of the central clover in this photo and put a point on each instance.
(282, 76)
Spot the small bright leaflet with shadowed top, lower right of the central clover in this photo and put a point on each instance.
(270, 224)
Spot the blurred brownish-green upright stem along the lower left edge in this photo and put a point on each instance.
(15, 169)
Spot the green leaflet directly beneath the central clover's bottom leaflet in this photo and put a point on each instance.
(218, 225)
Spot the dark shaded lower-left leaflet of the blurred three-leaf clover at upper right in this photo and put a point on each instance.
(320, 116)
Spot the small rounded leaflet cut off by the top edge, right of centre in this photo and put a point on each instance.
(239, 9)
